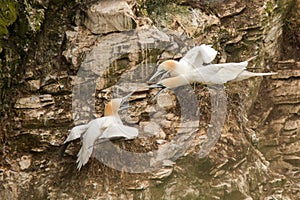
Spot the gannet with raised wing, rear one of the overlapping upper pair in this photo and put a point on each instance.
(194, 58)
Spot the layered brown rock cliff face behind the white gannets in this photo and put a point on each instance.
(69, 58)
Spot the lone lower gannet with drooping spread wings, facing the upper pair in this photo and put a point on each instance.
(108, 127)
